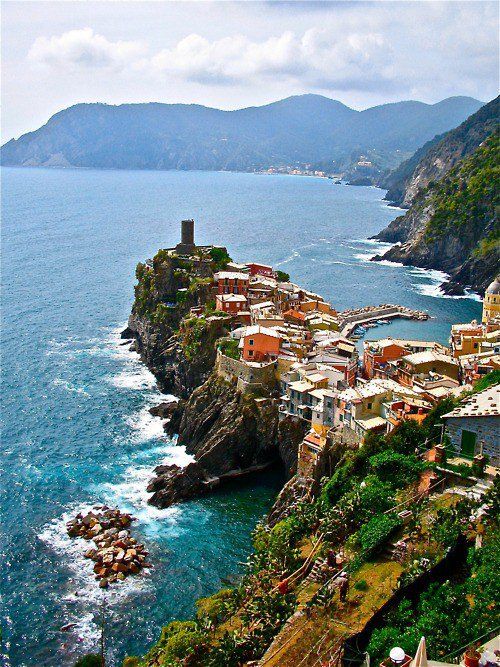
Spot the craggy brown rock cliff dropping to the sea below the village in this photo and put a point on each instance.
(227, 432)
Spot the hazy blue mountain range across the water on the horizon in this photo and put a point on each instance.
(297, 131)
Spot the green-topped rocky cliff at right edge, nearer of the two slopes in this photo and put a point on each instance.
(453, 225)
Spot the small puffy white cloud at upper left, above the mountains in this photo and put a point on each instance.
(83, 49)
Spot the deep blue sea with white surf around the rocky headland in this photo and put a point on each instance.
(76, 429)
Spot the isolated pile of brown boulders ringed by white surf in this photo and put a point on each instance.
(116, 554)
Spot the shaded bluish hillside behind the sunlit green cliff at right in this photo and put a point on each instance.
(439, 155)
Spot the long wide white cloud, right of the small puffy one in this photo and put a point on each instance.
(316, 57)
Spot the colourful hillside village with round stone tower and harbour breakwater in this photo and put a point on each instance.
(289, 343)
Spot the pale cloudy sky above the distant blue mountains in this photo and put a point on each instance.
(233, 54)
